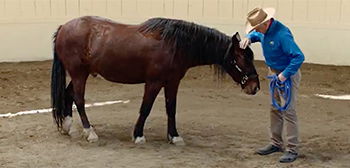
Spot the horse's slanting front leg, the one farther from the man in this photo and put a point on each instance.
(151, 91)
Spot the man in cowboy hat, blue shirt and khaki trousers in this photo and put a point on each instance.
(284, 58)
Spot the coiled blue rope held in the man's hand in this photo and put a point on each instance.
(284, 89)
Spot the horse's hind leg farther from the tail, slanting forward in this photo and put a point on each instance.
(79, 92)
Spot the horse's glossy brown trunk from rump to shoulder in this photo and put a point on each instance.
(111, 49)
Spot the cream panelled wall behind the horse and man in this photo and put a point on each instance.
(320, 27)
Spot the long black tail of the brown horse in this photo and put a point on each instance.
(58, 86)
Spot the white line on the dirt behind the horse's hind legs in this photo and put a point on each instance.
(48, 110)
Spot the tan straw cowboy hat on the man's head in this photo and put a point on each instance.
(257, 17)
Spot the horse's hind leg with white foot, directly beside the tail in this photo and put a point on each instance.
(68, 120)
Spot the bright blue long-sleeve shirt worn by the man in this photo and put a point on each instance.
(279, 48)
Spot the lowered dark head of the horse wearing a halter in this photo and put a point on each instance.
(238, 63)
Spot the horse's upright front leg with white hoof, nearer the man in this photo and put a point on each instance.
(170, 91)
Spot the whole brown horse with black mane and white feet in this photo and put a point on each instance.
(157, 52)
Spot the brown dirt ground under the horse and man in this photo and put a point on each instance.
(219, 123)
